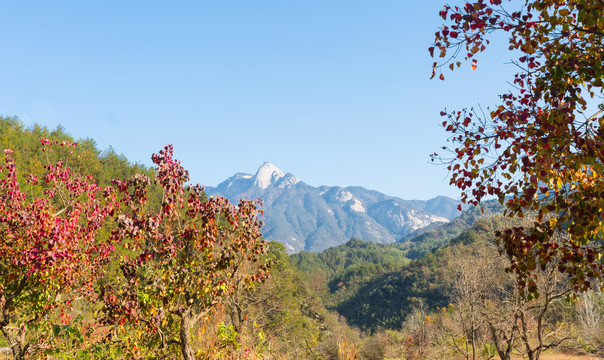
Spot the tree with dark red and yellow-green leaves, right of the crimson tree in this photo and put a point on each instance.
(179, 263)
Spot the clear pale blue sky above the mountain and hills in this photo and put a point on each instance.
(335, 92)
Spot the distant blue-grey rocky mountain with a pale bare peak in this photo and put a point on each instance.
(303, 217)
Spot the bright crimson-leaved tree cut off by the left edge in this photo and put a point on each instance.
(50, 251)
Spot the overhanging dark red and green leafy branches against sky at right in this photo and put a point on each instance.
(542, 149)
